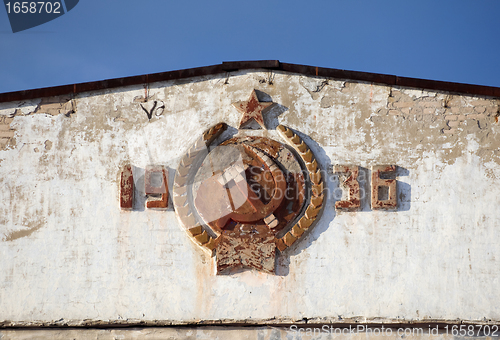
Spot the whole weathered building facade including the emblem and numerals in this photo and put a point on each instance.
(401, 227)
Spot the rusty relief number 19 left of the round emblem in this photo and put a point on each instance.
(155, 187)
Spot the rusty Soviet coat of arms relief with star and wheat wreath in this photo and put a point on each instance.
(242, 196)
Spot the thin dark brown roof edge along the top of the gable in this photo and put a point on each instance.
(258, 64)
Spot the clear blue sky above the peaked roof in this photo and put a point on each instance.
(456, 41)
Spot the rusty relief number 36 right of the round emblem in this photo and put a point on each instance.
(383, 191)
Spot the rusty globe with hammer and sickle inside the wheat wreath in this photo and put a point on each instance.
(233, 198)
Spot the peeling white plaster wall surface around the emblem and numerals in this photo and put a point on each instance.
(69, 252)
